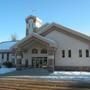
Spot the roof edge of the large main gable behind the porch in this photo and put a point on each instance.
(41, 32)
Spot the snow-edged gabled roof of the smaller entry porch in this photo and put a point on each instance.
(52, 43)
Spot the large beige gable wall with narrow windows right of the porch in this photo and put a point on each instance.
(66, 42)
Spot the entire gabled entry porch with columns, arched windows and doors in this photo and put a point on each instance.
(36, 52)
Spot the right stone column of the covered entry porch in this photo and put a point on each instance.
(51, 57)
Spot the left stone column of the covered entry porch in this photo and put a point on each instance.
(18, 60)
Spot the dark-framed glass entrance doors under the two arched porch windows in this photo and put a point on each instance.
(39, 62)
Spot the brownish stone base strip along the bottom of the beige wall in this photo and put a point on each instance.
(71, 68)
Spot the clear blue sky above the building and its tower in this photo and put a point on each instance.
(74, 14)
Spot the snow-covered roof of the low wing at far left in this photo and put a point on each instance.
(7, 45)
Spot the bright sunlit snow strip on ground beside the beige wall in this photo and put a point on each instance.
(70, 75)
